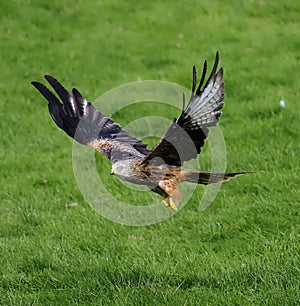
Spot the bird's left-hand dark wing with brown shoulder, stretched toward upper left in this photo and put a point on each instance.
(83, 122)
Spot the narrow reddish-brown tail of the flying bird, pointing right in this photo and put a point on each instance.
(206, 178)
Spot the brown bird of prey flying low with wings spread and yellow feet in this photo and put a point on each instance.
(159, 168)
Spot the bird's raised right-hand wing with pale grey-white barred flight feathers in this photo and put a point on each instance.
(184, 139)
